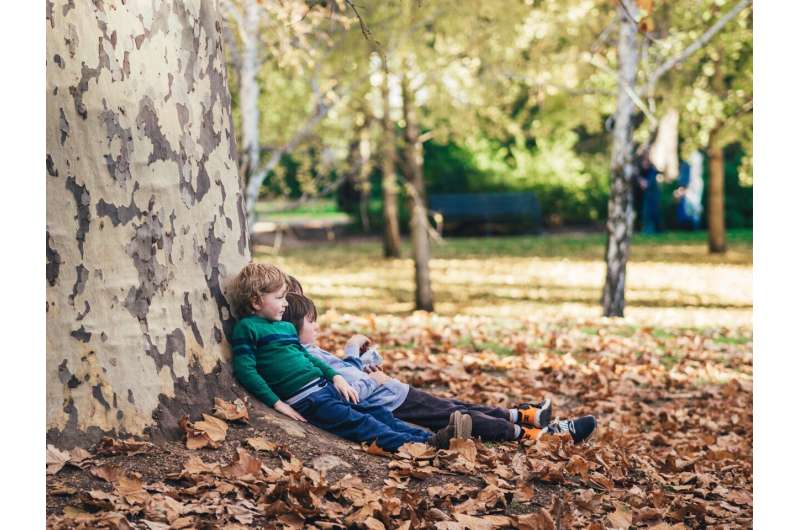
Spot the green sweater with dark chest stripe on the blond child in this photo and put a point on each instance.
(269, 361)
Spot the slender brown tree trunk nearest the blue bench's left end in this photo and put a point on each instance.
(420, 242)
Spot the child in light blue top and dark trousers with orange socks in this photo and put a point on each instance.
(528, 422)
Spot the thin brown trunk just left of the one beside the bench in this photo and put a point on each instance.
(391, 227)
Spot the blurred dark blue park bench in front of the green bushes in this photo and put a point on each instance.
(518, 211)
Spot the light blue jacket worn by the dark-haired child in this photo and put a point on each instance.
(391, 394)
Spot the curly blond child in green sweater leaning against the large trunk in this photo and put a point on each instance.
(270, 363)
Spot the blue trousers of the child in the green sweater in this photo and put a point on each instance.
(327, 410)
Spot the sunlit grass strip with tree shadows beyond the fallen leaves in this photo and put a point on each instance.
(672, 280)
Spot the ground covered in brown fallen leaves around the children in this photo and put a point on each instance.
(673, 447)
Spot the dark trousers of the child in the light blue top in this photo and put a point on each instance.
(433, 412)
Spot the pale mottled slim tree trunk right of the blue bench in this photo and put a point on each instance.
(620, 201)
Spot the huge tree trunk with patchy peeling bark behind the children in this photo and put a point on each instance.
(145, 216)
